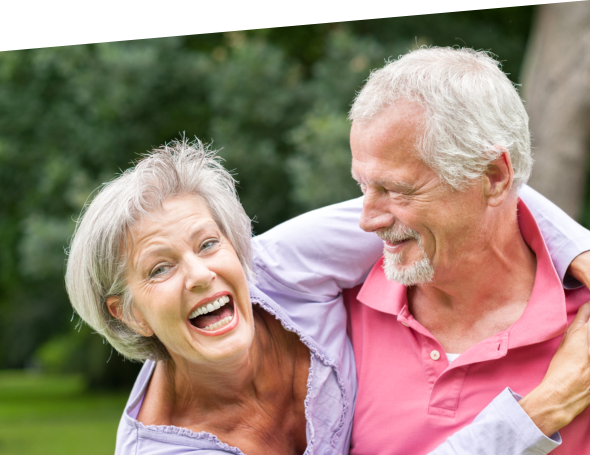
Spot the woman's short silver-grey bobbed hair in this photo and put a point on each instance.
(101, 243)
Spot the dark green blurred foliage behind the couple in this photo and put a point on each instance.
(274, 101)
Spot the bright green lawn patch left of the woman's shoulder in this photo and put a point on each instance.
(54, 415)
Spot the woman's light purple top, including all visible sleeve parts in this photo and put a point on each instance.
(303, 265)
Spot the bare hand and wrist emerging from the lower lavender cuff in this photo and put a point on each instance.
(565, 390)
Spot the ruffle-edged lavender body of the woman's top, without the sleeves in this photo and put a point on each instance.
(331, 390)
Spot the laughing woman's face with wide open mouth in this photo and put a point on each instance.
(188, 286)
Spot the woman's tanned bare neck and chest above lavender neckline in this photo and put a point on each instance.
(257, 404)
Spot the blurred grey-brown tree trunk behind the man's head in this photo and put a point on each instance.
(556, 83)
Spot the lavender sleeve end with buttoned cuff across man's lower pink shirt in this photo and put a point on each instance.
(502, 427)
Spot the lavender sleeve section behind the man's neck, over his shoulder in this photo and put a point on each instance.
(565, 238)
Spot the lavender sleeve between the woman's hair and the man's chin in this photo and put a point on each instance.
(314, 256)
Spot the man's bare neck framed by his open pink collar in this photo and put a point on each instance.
(482, 291)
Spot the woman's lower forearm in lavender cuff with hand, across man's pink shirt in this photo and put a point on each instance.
(506, 426)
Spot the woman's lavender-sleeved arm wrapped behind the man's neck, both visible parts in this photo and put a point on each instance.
(316, 255)
